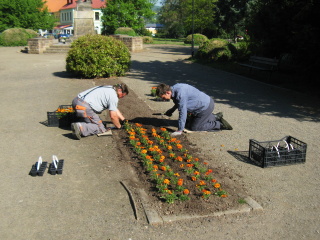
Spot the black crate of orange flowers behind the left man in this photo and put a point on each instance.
(60, 119)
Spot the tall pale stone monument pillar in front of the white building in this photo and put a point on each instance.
(83, 19)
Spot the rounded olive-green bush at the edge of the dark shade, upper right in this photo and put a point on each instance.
(216, 50)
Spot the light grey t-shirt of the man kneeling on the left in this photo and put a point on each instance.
(101, 98)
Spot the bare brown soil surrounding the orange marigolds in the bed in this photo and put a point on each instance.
(137, 111)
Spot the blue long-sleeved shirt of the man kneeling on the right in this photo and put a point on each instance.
(188, 99)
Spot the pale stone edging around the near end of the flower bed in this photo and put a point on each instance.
(155, 219)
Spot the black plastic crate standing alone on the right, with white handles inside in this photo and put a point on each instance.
(285, 151)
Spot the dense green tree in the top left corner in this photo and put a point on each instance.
(28, 14)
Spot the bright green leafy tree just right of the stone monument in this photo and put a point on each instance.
(126, 13)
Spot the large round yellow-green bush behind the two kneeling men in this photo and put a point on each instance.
(94, 56)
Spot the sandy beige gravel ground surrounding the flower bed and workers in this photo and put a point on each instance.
(88, 202)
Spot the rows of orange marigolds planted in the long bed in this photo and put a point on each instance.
(176, 174)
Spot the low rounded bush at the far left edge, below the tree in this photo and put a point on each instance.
(16, 37)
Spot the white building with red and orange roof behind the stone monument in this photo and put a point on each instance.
(64, 11)
